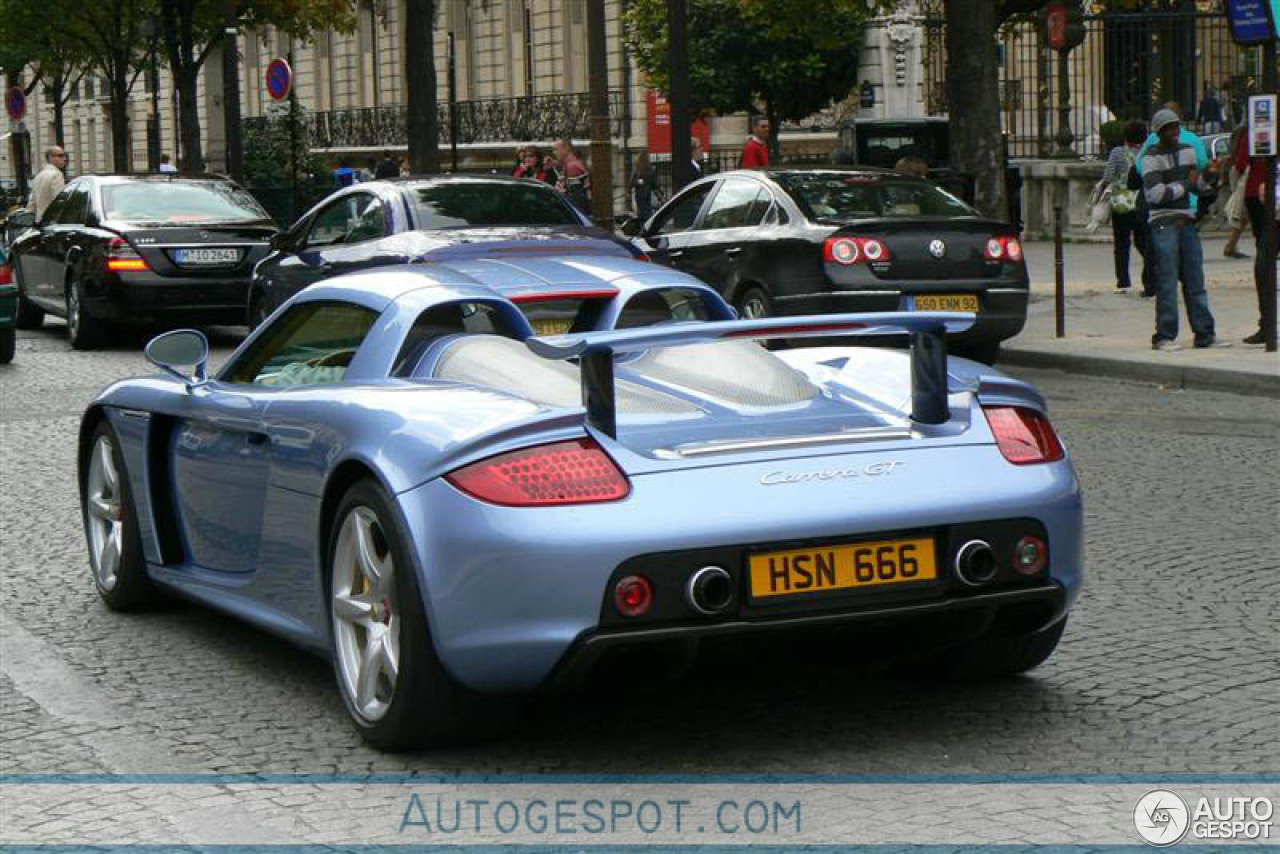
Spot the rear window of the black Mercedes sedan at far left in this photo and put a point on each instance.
(172, 203)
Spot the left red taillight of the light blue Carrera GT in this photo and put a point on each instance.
(564, 473)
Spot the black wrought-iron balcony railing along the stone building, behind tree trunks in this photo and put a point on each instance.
(506, 120)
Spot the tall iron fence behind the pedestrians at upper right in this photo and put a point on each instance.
(1128, 65)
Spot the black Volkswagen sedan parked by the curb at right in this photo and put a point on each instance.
(794, 243)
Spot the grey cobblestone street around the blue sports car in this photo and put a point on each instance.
(1169, 664)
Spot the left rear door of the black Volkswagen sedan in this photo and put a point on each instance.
(725, 238)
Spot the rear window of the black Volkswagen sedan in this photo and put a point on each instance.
(862, 197)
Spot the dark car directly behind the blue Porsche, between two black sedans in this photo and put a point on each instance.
(404, 221)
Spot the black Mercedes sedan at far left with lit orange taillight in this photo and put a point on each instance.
(117, 250)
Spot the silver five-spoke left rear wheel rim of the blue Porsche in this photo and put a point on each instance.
(367, 622)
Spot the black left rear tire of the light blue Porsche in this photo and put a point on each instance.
(427, 707)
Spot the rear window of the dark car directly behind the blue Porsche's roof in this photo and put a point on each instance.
(454, 205)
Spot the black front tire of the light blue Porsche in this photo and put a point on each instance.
(131, 590)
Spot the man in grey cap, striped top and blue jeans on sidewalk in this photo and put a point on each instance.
(1169, 180)
